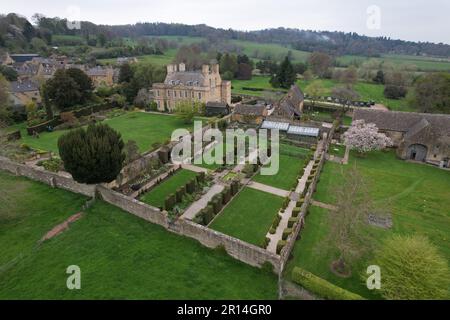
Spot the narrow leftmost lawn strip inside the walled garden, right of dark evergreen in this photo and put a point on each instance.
(157, 196)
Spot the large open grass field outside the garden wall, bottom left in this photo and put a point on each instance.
(120, 255)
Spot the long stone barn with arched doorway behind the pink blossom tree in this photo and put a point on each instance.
(417, 136)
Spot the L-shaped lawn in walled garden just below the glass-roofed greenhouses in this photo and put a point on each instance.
(290, 167)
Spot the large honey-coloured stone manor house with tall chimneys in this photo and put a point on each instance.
(205, 85)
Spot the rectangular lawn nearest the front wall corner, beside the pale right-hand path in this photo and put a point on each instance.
(249, 216)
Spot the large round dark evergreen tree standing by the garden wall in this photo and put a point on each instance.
(92, 155)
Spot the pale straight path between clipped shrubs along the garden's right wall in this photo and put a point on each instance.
(278, 235)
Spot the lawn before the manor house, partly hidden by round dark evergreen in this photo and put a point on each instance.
(144, 128)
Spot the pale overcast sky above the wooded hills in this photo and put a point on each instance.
(416, 20)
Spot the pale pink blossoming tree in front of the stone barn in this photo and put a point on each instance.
(365, 137)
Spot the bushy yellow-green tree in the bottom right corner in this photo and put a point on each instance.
(412, 269)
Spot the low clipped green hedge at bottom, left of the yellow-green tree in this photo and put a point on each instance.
(322, 287)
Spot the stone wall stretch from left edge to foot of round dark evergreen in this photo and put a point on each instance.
(53, 179)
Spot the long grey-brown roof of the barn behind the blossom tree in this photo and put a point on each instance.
(403, 121)
